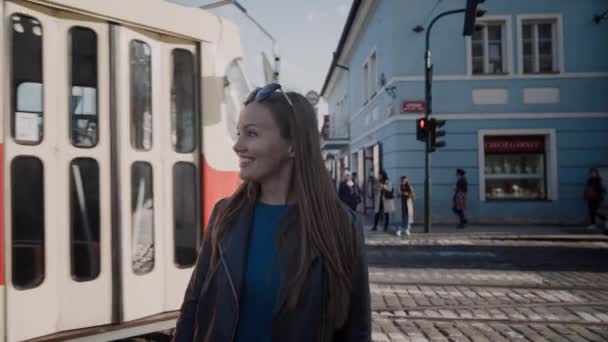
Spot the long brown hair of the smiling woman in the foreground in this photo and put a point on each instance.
(325, 225)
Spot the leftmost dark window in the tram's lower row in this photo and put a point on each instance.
(27, 199)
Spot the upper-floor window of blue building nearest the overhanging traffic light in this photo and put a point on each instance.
(489, 49)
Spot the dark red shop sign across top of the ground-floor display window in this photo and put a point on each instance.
(514, 144)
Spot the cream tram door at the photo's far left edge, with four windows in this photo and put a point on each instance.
(56, 172)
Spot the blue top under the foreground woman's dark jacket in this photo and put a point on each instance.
(262, 276)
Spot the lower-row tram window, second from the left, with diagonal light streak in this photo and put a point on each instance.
(84, 219)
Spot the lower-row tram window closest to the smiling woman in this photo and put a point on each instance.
(186, 206)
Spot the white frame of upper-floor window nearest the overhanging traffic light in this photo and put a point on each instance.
(507, 47)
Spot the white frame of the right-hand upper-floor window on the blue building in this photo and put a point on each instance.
(558, 43)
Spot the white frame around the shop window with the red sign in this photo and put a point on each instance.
(550, 155)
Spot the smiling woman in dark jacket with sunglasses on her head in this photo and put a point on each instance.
(282, 258)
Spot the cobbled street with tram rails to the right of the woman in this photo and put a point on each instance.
(468, 290)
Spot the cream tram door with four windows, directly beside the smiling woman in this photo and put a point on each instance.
(158, 168)
